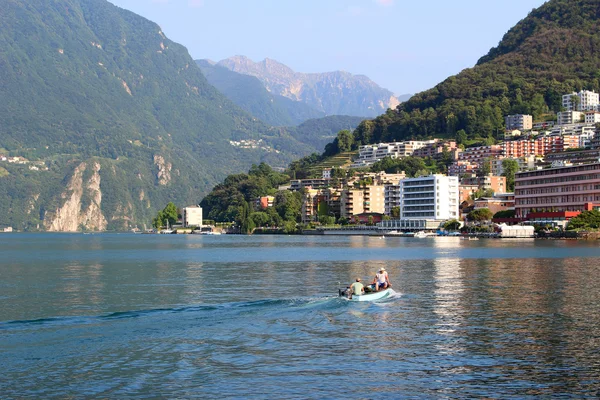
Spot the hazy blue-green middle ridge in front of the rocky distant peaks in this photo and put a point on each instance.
(251, 95)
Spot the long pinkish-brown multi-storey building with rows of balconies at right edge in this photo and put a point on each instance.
(555, 191)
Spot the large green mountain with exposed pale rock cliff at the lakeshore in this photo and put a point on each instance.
(111, 120)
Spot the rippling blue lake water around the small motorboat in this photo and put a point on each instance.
(184, 316)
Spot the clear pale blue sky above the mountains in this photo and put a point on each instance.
(404, 46)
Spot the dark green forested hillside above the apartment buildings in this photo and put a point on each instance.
(551, 52)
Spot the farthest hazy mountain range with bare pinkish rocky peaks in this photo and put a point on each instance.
(333, 93)
